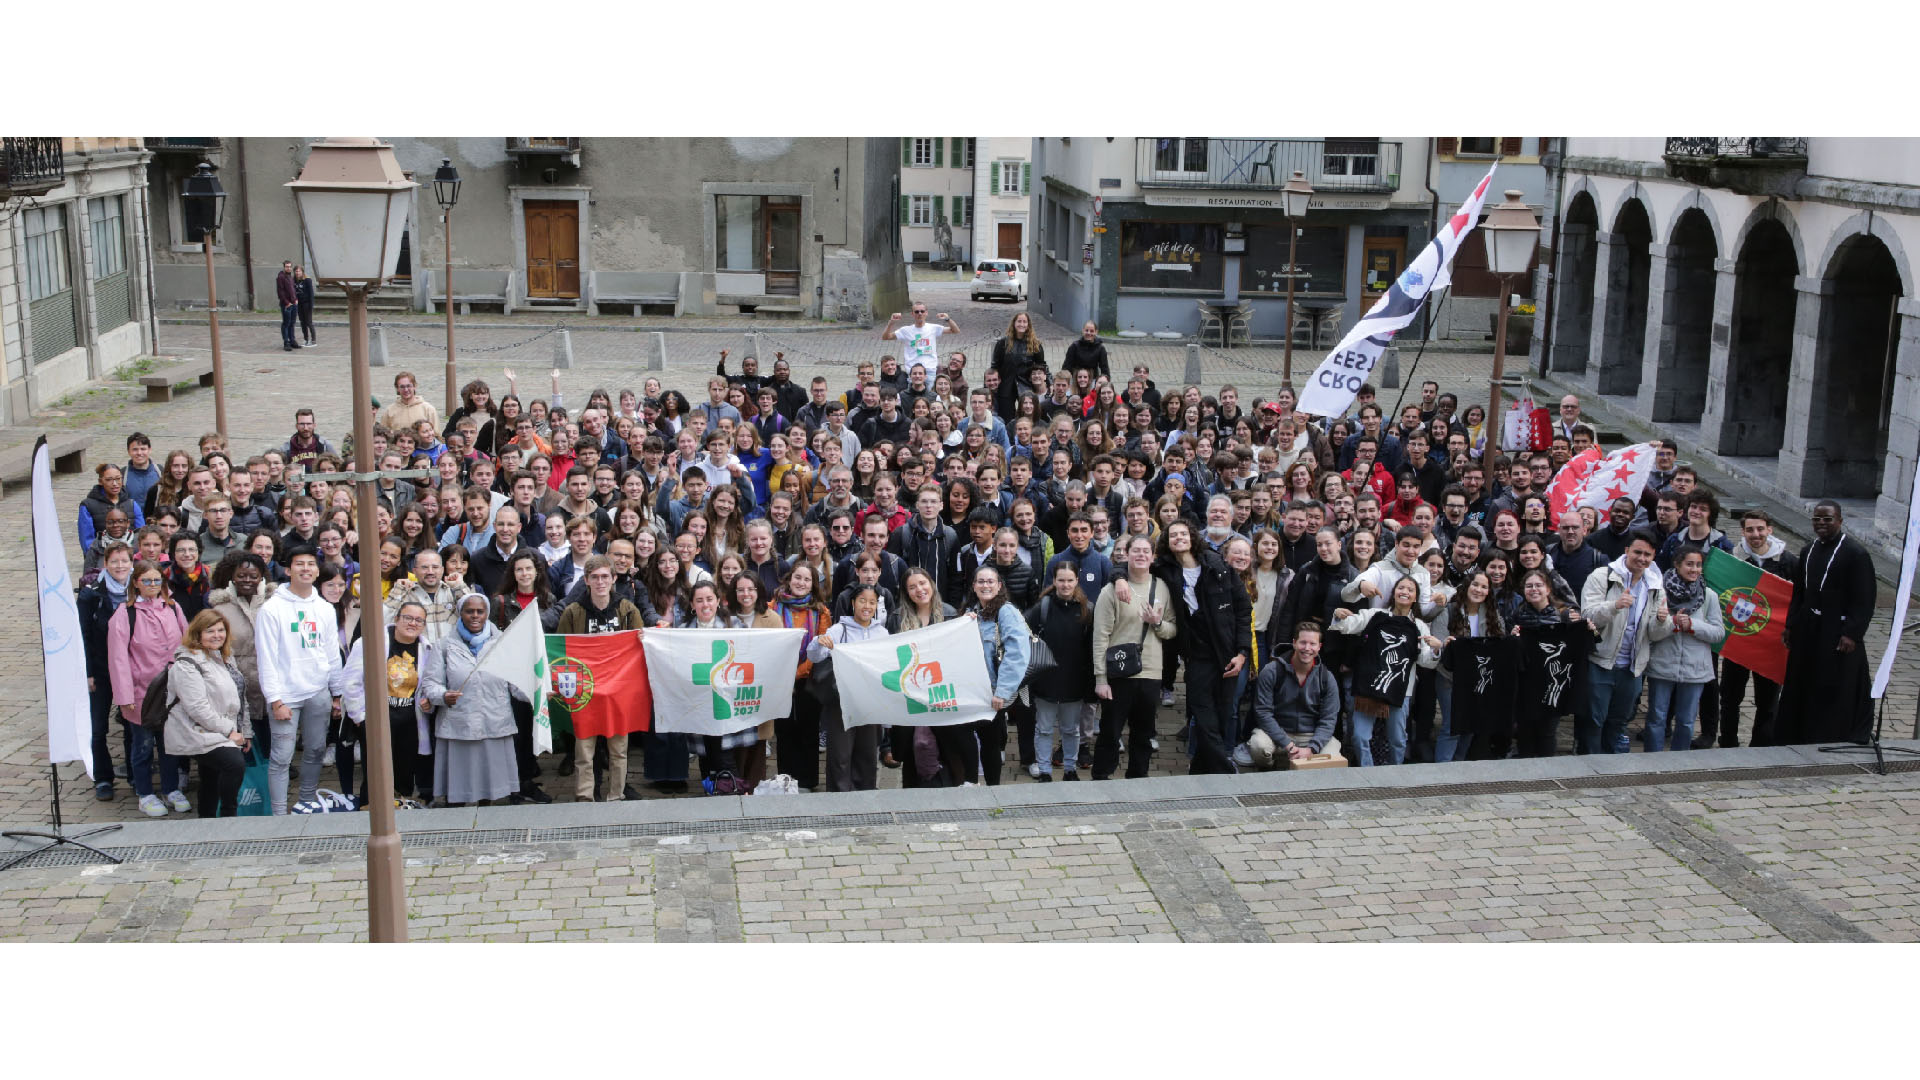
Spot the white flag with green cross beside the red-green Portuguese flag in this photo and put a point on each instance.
(721, 681)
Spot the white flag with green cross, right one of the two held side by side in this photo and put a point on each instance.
(928, 677)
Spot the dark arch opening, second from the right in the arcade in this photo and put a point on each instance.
(1760, 355)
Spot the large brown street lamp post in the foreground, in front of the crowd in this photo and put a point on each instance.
(352, 201)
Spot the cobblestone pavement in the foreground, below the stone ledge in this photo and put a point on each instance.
(1804, 860)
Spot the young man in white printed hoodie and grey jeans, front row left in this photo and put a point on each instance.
(297, 647)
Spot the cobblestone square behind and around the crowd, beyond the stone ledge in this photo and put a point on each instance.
(266, 387)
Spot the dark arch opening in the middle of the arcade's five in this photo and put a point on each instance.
(1683, 345)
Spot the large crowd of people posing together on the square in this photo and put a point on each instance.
(1391, 589)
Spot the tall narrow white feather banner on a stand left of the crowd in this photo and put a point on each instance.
(70, 727)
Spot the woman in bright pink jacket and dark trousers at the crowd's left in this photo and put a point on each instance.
(143, 635)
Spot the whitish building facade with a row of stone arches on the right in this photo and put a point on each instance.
(1754, 297)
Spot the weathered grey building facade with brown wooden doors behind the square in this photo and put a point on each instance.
(575, 224)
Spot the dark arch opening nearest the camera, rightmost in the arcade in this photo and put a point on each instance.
(1861, 285)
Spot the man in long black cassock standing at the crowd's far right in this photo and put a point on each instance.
(1827, 689)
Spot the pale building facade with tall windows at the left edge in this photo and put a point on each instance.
(76, 270)
